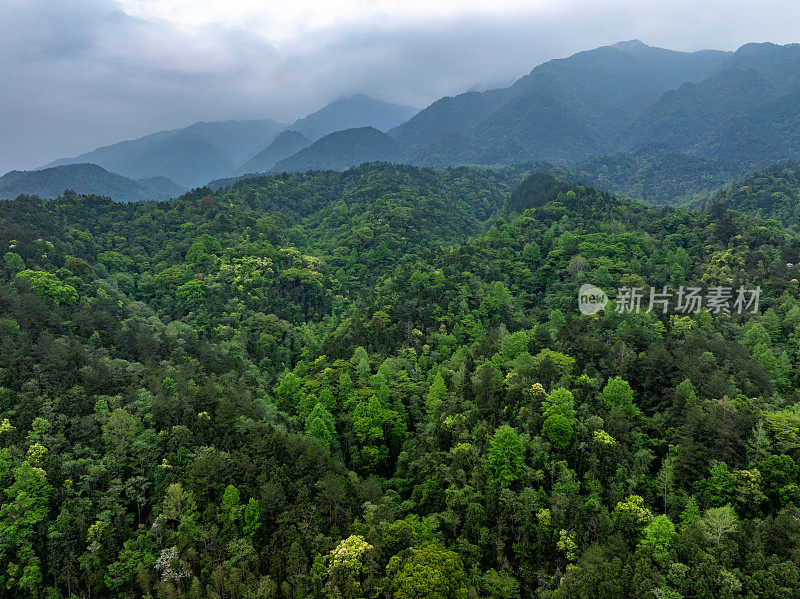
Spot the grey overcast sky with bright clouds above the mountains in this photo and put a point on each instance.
(76, 74)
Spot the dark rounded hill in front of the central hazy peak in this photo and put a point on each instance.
(341, 150)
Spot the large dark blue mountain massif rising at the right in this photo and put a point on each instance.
(733, 107)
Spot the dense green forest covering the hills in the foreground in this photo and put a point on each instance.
(376, 383)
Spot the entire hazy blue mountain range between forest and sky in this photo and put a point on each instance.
(606, 115)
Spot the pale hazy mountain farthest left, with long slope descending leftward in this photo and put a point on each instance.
(190, 156)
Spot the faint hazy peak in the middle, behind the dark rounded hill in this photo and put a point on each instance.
(351, 112)
